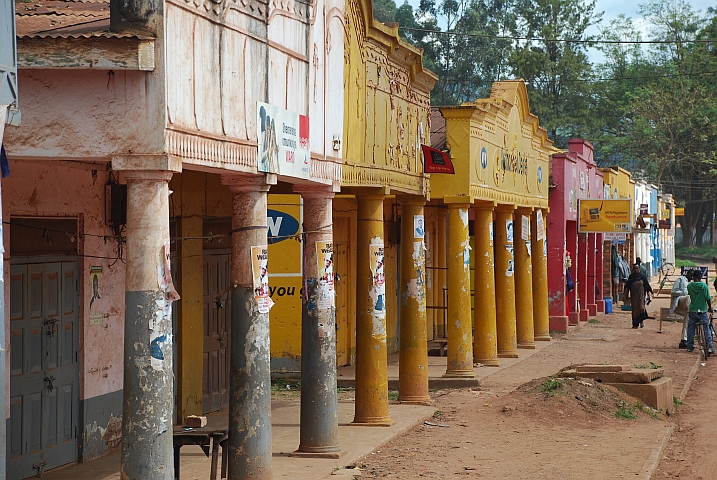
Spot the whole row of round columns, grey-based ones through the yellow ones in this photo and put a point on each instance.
(507, 316)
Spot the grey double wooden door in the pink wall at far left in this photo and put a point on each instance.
(44, 376)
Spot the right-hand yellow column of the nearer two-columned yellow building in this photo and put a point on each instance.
(413, 354)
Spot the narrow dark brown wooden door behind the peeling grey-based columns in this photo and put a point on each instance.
(217, 311)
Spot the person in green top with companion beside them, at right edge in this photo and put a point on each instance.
(691, 298)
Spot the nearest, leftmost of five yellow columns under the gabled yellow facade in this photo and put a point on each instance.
(460, 341)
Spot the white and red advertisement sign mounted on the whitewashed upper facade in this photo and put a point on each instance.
(283, 139)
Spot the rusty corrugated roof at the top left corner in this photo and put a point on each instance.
(65, 19)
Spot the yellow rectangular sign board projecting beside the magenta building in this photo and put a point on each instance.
(605, 216)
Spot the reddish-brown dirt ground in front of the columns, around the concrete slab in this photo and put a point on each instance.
(578, 432)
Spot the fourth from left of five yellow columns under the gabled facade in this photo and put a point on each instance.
(523, 279)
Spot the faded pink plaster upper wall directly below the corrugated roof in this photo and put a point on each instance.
(87, 105)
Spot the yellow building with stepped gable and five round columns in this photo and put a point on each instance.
(499, 192)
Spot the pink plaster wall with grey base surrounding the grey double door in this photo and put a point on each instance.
(44, 189)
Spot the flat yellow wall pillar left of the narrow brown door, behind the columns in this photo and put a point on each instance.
(190, 312)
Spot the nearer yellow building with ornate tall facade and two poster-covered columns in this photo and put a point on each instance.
(387, 102)
